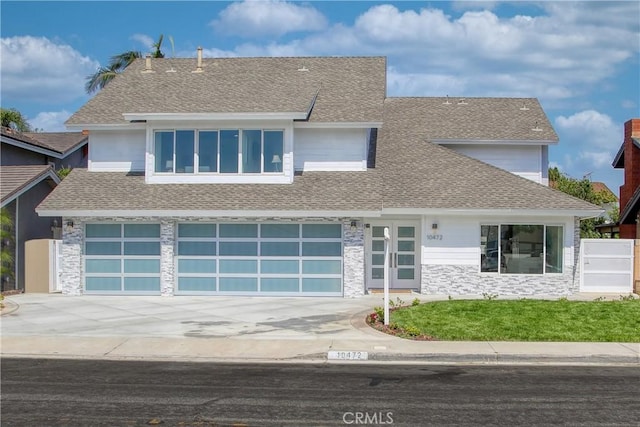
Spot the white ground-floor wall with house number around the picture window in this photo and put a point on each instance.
(456, 241)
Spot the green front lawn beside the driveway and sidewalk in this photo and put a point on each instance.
(523, 320)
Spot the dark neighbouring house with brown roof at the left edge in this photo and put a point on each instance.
(27, 175)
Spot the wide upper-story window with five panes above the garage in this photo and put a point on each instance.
(223, 151)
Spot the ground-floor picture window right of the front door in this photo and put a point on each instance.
(521, 249)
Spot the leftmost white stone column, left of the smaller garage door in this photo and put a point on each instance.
(71, 265)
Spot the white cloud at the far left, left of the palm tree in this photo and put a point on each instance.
(38, 70)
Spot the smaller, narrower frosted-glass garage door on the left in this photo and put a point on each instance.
(122, 258)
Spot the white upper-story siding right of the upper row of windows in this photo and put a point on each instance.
(330, 149)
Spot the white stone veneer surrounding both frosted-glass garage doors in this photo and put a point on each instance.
(73, 249)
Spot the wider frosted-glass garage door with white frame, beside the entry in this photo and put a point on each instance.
(264, 259)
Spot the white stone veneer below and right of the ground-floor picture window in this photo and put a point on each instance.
(467, 280)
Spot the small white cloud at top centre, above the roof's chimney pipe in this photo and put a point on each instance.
(268, 18)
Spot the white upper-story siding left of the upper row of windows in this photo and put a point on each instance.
(116, 151)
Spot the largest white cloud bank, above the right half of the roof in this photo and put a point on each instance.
(557, 55)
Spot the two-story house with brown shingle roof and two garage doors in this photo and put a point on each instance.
(278, 176)
